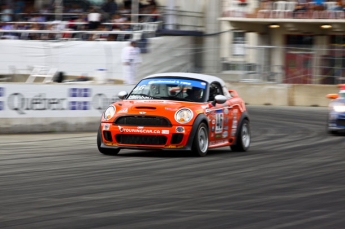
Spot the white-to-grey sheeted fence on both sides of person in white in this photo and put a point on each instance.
(21, 58)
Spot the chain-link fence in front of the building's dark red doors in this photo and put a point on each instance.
(292, 65)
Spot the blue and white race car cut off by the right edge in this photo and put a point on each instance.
(336, 118)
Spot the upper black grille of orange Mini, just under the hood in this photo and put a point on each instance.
(143, 121)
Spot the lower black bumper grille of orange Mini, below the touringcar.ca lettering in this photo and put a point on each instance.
(140, 139)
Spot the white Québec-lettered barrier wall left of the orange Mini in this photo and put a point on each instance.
(33, 108)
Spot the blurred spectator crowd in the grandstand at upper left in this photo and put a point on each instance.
(75, 21)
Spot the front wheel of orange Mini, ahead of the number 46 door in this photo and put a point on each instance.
(200, 142)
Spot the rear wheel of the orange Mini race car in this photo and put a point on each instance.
(243, 138)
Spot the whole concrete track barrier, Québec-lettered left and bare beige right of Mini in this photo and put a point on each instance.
(33, 108)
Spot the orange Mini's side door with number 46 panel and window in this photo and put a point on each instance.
(220, 117)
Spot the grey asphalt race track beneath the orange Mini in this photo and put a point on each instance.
(292, 177)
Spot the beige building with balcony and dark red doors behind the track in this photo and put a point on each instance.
(283, 42)
